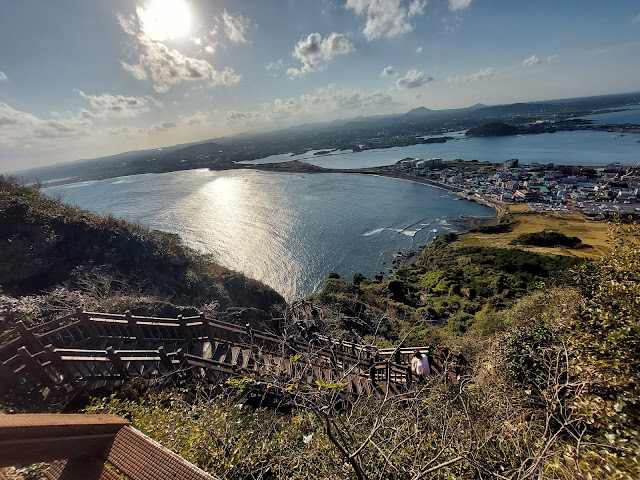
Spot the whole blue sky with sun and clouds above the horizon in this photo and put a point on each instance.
(89, 78)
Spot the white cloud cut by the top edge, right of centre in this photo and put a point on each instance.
(386, 18)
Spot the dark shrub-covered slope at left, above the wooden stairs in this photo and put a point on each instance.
(47, 244)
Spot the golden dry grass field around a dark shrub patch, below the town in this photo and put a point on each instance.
(594, 235)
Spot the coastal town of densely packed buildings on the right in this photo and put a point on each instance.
(598, 191)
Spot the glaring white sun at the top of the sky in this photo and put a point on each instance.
(163, 19)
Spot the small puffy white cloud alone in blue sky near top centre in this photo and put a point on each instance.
(314, 51)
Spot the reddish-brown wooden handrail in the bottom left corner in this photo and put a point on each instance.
(79, 446)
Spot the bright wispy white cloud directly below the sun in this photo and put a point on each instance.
(168, 67)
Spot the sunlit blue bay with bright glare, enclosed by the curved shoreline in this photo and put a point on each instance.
(287, 230)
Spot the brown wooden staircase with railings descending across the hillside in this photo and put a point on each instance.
(91, 349)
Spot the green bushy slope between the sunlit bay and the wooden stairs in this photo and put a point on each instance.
(450, 285)
